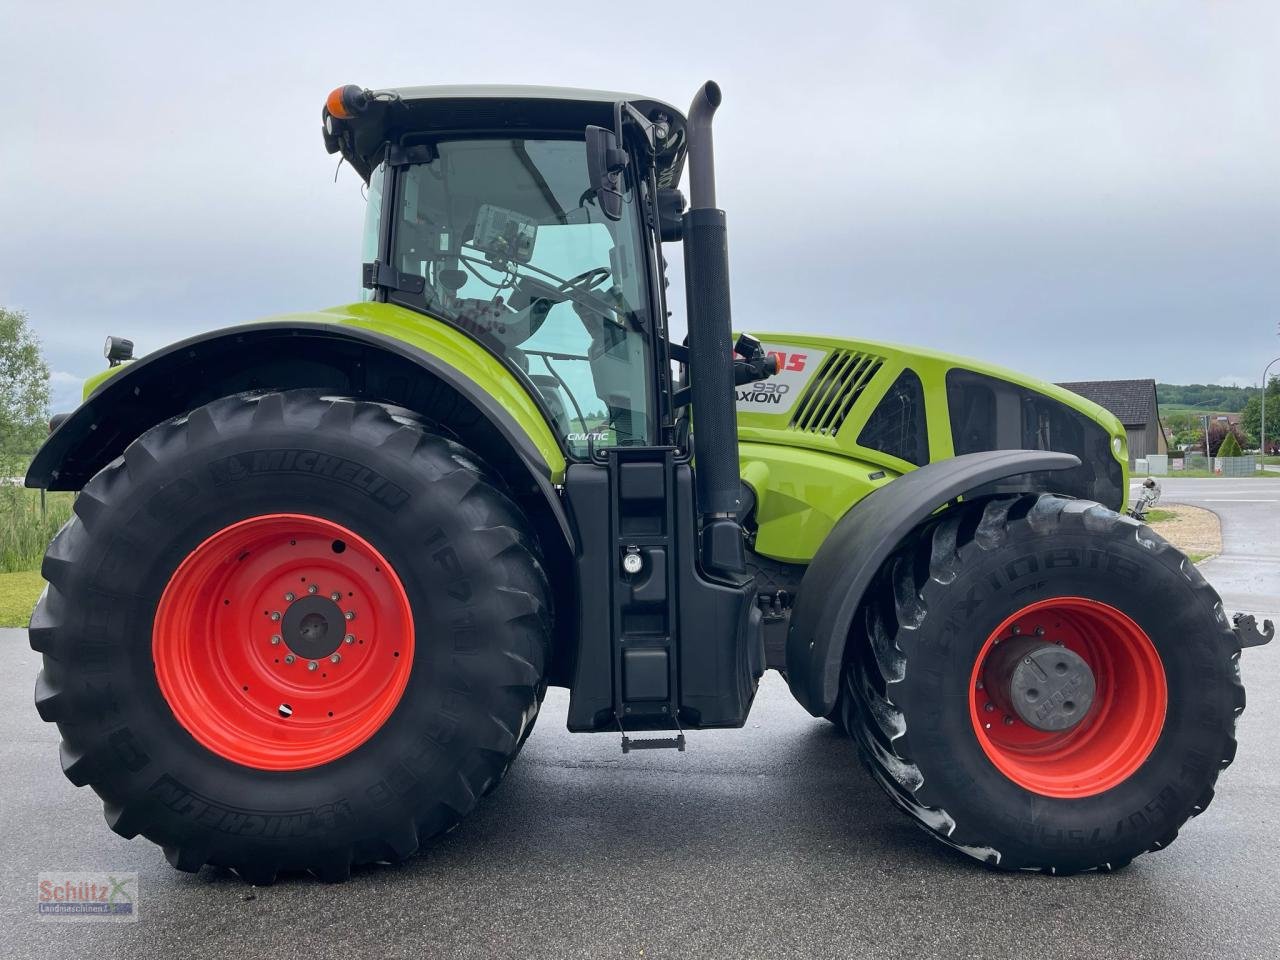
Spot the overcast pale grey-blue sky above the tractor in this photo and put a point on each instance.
(1081, 191)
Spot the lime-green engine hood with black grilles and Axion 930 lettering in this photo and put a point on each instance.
(844, 418)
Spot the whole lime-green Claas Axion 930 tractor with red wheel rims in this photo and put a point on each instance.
(323, 568)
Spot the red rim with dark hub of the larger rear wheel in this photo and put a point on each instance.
(243, 634)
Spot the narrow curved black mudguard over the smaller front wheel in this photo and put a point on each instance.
(863, 540)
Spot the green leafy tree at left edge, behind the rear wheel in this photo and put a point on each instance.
(24, 387)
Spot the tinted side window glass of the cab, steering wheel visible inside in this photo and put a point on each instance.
(514, 250)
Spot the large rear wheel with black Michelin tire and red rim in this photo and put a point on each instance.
(291, 632)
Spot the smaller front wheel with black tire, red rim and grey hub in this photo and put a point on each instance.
(1044, 684)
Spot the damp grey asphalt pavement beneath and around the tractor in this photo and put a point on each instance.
(769, 842)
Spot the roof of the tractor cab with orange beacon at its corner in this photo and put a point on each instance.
(408, 116)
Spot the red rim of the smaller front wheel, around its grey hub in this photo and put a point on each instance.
(1117, 734)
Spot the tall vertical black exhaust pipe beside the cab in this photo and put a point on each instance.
(711, 348)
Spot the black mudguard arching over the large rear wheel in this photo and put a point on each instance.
(285, 355)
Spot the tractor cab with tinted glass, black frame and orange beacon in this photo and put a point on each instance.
(493, 211)
